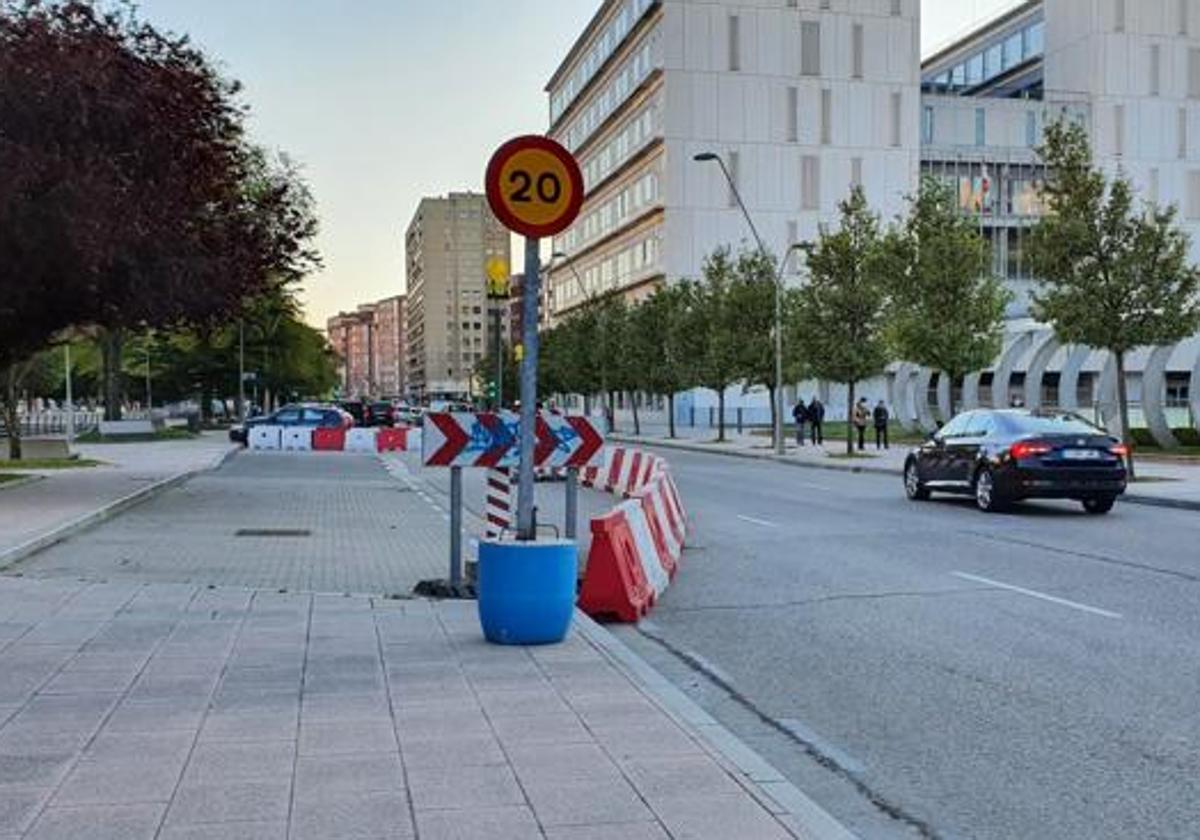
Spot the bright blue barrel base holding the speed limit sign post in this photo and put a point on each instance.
(526, 591)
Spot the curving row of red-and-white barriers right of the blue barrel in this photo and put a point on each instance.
(637, 549)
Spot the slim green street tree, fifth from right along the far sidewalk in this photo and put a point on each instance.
(716, 327)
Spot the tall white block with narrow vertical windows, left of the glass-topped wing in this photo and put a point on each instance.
(801, 99)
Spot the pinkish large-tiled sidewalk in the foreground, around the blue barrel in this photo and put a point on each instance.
(164, 711)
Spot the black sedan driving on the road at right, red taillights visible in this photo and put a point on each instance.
(1004, 457)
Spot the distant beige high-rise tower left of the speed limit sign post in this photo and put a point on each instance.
(448, 245)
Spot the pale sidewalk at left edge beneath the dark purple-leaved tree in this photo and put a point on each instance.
(64, 496)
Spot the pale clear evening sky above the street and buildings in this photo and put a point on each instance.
(386, 101)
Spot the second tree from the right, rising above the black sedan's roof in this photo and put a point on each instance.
(947, 309)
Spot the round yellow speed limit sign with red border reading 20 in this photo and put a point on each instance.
(535, 187)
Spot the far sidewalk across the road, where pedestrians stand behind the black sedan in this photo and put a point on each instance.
(1160, 483)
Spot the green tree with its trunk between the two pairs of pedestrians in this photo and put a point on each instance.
(843, 309)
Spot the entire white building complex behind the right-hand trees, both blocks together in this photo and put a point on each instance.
(805, 98)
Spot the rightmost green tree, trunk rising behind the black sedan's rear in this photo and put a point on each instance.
(1109, 275)
